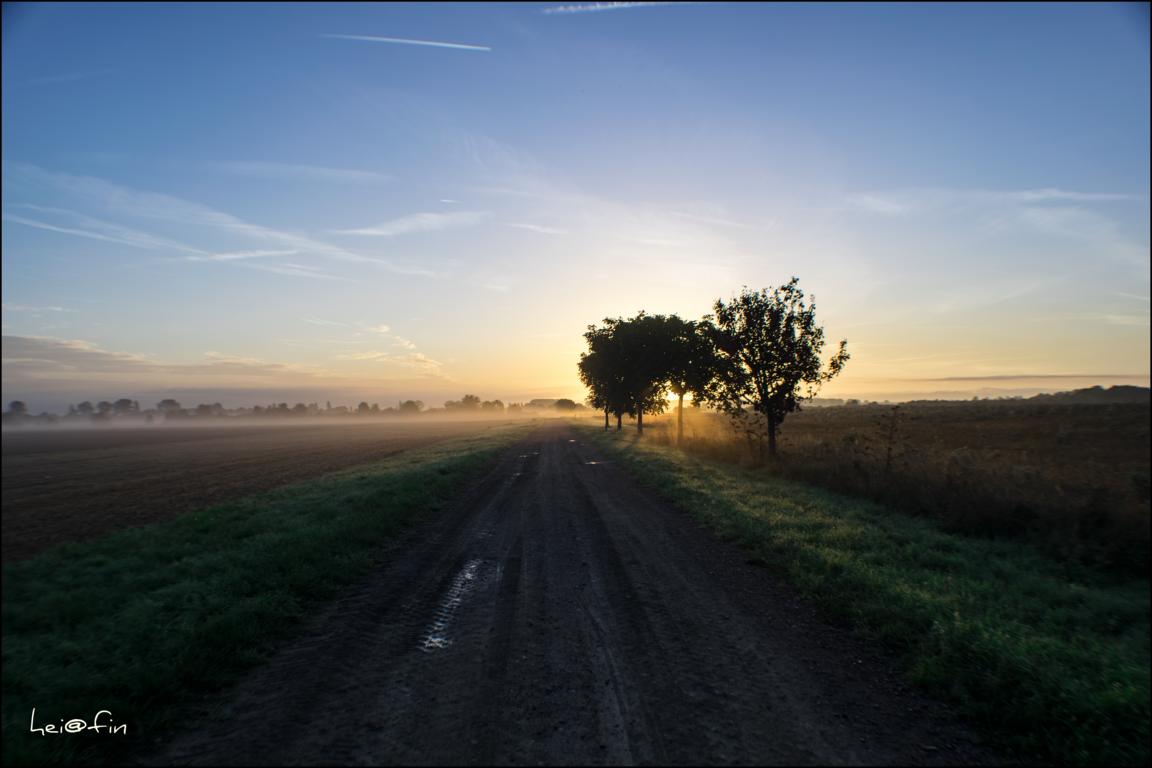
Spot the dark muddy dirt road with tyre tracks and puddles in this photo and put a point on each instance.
(559, 614)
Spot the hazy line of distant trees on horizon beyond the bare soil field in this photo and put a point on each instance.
(126, 410)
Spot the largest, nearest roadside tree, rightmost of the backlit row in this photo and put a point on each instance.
(768, 360)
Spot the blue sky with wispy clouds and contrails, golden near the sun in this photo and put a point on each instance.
(287, 202)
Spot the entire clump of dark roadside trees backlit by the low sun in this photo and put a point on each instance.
(757, 359)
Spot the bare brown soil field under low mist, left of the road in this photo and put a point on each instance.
(70, 485)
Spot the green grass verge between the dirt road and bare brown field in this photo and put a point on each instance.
(147, 621)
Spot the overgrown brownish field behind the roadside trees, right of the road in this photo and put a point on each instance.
(1071, 478)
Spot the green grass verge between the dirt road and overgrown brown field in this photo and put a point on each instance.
(1050, 659)
